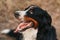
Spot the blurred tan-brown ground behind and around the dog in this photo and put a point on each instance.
(8, 7)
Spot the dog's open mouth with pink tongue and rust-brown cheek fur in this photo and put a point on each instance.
(28, 23)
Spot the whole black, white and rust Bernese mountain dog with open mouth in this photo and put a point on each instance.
(35, 24)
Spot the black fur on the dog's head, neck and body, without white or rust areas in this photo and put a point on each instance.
(45, 30)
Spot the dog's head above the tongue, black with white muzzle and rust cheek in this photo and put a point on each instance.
(34, 16)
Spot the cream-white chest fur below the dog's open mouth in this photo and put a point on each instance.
(30, 34)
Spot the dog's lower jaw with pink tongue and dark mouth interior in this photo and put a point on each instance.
(23, 25)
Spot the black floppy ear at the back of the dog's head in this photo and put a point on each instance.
(46, 18)
